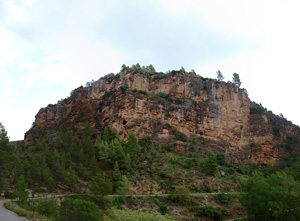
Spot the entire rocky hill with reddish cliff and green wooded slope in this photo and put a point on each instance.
(166, 146)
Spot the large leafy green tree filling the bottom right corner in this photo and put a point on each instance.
(276, 197)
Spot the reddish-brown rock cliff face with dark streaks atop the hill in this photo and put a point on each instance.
(174, 106)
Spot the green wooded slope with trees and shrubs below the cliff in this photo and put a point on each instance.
(96, 164)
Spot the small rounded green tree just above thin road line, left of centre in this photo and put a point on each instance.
(101, 185)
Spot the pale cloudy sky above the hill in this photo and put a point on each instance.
(49, 48)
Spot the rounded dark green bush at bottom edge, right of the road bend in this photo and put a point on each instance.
(78, 210)
